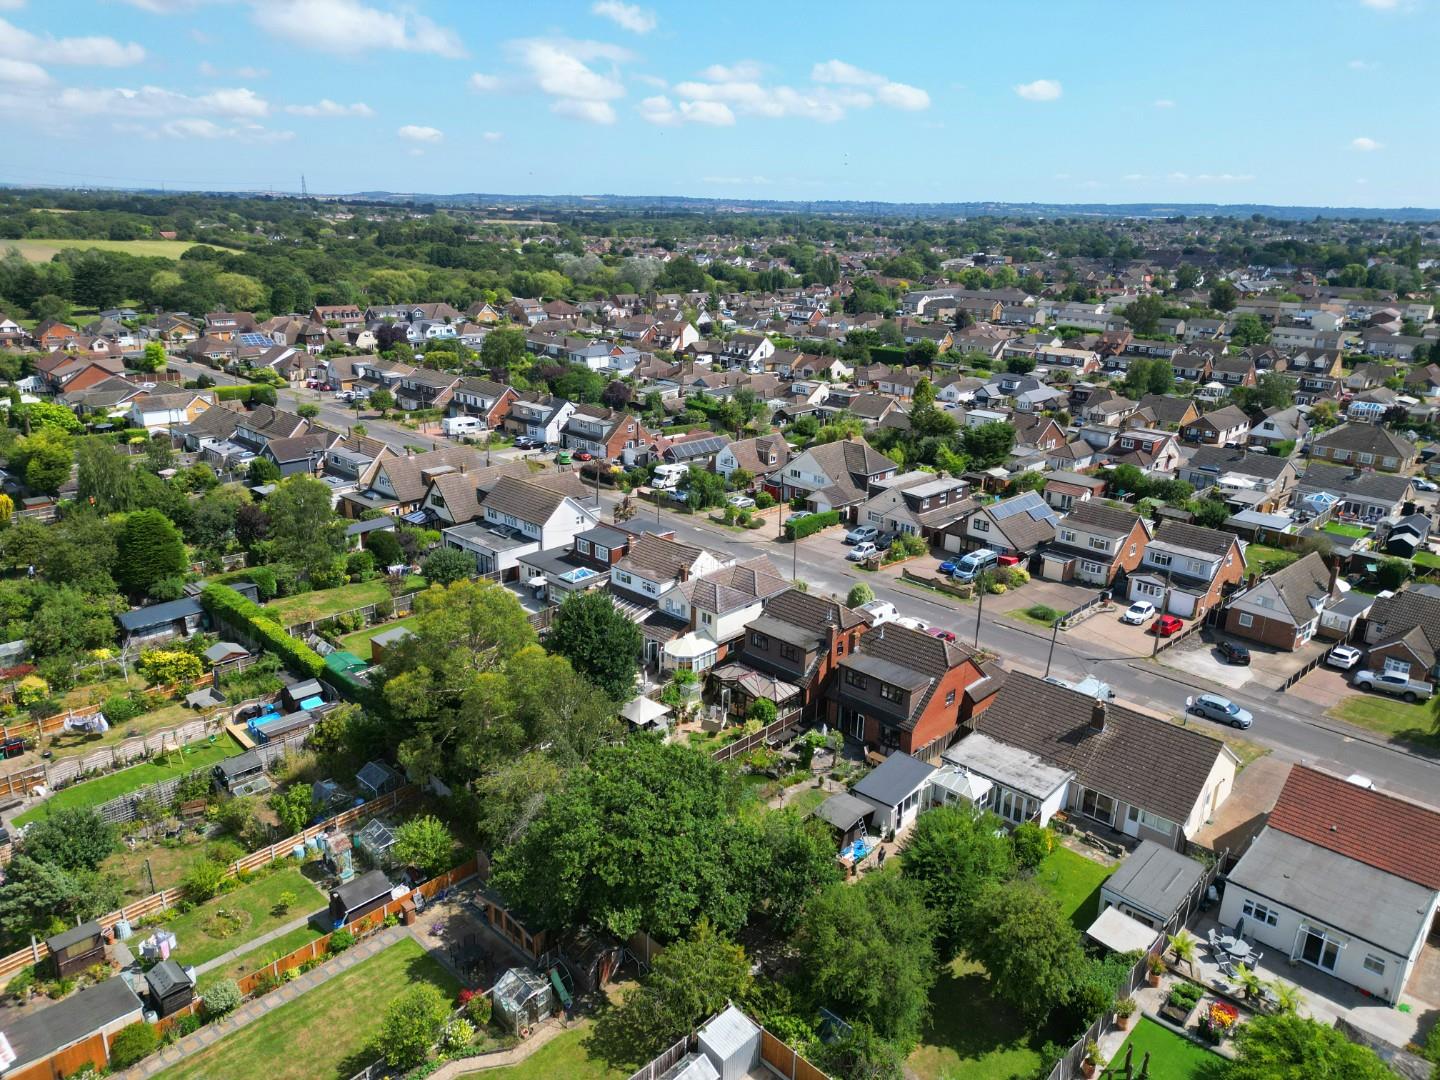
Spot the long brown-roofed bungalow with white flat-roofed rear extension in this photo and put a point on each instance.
(1140, 775)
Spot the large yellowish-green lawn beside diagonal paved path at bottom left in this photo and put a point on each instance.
(325, 1033)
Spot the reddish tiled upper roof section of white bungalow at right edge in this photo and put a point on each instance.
(1379, 830)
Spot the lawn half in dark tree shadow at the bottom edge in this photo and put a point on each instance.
(971, 1036)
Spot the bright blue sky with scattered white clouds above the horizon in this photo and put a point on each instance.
(1282, 102)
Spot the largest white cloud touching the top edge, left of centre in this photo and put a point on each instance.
(349, 27)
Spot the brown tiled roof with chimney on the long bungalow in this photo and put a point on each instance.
(1151, 764)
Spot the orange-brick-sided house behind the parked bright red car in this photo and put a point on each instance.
(1187, 570)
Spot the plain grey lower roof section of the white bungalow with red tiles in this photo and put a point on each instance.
(1344, 894)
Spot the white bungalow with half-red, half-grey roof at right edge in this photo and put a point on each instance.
(1343, 879)
